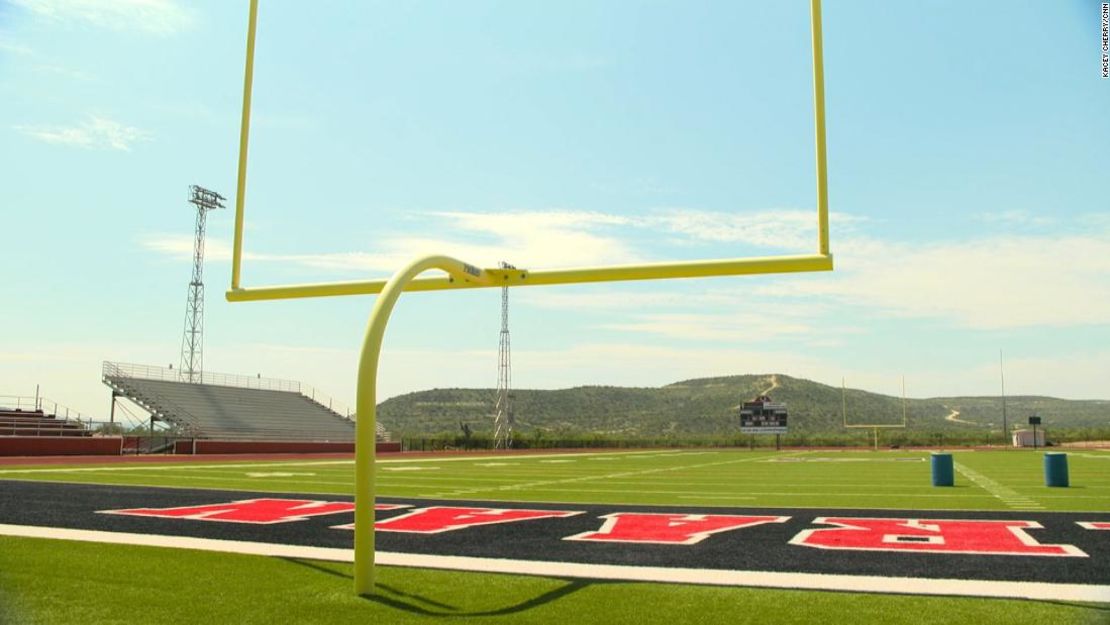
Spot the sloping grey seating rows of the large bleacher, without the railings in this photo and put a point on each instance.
(213, 411)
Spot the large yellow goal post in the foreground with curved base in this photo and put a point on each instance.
(462, 276)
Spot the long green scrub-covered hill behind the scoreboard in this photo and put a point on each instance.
(709, 407)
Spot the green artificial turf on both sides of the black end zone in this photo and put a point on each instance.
(68, 582)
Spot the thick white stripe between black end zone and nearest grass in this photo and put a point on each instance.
(714, 578)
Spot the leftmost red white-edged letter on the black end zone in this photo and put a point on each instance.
(263, 512)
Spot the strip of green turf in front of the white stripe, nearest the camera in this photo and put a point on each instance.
(53, 582)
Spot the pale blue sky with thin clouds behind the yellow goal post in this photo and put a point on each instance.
(968, 167)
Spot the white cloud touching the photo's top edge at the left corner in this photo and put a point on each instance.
(157, 17)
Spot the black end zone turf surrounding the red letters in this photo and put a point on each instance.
(766, 548)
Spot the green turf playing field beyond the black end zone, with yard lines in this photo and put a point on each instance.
(1011, 480)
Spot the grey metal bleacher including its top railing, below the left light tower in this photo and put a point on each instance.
(238, 408)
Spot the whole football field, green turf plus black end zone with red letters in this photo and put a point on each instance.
(604, 537)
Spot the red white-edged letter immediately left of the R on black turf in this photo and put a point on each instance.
(669, 529)
